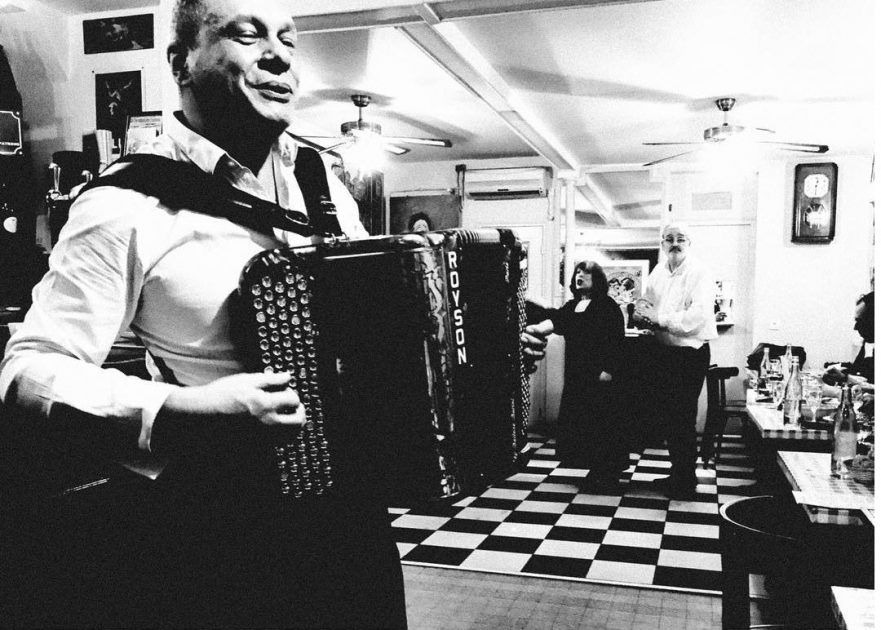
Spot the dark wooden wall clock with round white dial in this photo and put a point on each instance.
(813, 211)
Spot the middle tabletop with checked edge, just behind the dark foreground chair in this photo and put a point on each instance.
(826, 499)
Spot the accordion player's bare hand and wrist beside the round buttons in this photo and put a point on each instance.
(264, 397)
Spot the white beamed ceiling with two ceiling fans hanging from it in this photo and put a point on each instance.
(584, 84)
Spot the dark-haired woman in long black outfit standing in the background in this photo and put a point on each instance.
(589, 425)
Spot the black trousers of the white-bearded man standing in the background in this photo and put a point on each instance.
(682, 372)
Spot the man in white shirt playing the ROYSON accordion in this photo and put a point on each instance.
(219, 550)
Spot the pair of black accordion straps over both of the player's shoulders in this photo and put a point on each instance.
(181, 185)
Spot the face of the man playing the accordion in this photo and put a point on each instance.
(243, 69)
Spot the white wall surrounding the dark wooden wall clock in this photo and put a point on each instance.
(810, 289)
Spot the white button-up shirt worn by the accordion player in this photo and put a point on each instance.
(124, 260)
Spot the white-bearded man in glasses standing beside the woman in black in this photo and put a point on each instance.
(680, 294)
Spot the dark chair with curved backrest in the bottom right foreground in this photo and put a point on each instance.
(766, 535)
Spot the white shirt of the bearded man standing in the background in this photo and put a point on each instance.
(685, 299)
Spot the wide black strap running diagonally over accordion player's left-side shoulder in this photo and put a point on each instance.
(181, 185)
